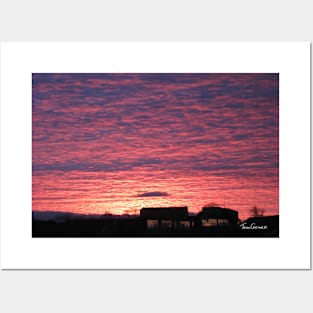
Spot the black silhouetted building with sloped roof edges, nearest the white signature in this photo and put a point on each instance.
(216, 216)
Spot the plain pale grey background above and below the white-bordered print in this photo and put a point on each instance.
(184, 291)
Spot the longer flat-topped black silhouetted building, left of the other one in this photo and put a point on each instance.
(166, 218)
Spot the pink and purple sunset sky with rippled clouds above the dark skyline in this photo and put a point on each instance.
(114, 143)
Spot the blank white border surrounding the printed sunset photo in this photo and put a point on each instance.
(290, 251)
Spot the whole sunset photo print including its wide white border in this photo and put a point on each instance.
(155, 155)
